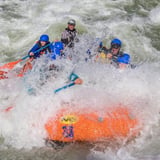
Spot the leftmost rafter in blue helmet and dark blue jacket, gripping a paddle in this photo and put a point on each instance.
(42, 46)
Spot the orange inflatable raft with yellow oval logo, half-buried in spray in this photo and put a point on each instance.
(69, 126)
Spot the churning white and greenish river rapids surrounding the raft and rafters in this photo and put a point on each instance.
(135, 22)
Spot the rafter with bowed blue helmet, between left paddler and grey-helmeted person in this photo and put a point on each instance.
(56, 49)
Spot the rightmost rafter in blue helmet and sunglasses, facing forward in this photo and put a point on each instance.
(114, 54)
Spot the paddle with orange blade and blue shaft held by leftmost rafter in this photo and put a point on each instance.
(11, 65)
